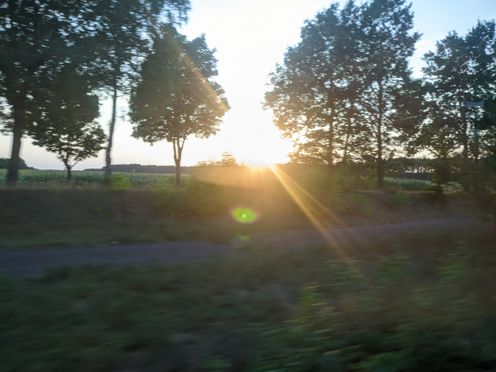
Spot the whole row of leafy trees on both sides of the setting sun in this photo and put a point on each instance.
(345, 93)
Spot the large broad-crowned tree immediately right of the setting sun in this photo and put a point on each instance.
(346, 91)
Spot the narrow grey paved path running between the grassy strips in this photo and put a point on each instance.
(33, 262)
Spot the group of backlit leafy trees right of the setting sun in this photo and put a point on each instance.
(346, 92)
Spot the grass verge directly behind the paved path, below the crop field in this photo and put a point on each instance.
(200, 211)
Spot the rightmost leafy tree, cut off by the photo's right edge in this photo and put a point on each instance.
(458, 74)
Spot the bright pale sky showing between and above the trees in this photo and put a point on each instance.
(250, 37)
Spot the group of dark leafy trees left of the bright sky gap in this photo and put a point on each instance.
(59, 58)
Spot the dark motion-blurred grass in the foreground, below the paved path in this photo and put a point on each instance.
(401, 303)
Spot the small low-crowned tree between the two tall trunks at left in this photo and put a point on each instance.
(64, 118)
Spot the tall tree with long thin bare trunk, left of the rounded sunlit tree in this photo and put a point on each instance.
(122, 32)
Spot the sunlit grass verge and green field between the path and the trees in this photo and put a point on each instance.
(139, 207)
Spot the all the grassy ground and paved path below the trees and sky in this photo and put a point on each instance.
(322, 278)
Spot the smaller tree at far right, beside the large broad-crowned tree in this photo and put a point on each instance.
(461, 70)
